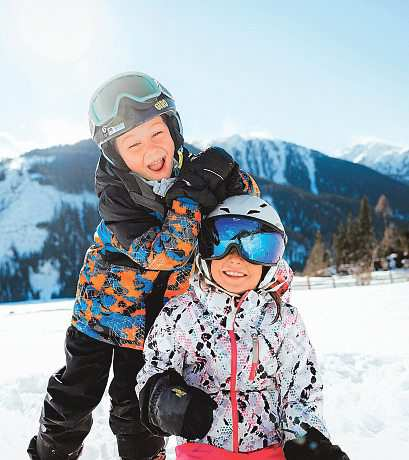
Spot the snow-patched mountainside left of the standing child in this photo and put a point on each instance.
(47, 218)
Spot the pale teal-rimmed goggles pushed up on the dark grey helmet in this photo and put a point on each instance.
(140, 88)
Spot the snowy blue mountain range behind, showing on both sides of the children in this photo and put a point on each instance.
(48, 209)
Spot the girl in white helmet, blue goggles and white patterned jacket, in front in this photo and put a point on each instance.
(228, 363)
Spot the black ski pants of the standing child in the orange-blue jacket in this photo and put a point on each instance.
(76, 389)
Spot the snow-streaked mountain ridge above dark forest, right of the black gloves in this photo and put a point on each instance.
(291, 165)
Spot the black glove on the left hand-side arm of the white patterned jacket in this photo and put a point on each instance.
(171, 407)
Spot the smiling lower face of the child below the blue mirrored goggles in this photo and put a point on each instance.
(235, 274)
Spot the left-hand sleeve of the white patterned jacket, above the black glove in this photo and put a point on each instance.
(162, 349)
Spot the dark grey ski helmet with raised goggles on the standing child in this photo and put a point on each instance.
(126, 101)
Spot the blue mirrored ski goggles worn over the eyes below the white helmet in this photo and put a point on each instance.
(254, 240)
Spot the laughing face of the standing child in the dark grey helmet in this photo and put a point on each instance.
(148, 149)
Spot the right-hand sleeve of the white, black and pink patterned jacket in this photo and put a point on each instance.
(299, 379)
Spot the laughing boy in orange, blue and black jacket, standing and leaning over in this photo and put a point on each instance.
(152, 195)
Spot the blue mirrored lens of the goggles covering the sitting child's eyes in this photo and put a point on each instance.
(254, 244)
